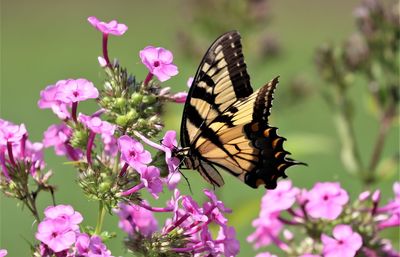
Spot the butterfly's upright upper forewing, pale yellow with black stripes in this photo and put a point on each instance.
(220, 81)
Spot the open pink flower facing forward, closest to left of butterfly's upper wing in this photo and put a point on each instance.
(159, 62)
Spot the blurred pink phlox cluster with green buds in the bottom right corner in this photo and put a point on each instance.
(333, 226)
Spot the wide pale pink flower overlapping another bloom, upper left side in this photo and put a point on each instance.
(76, 90)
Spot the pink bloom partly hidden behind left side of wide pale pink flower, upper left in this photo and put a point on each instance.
(48, 100)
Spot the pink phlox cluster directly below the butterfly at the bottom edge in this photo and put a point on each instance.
(187, 233)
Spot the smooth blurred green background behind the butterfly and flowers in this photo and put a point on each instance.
(45, 40)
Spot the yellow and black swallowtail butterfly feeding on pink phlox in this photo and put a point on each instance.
(225, 123)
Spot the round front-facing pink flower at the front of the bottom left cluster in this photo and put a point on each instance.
(56, 234)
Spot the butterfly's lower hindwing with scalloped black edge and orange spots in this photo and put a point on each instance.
(247, 146)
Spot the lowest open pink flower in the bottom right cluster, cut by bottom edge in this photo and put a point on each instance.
(344, 244)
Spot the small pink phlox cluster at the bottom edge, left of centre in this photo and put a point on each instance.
(60, 235)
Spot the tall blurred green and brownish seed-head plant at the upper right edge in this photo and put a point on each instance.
(372, 53)
